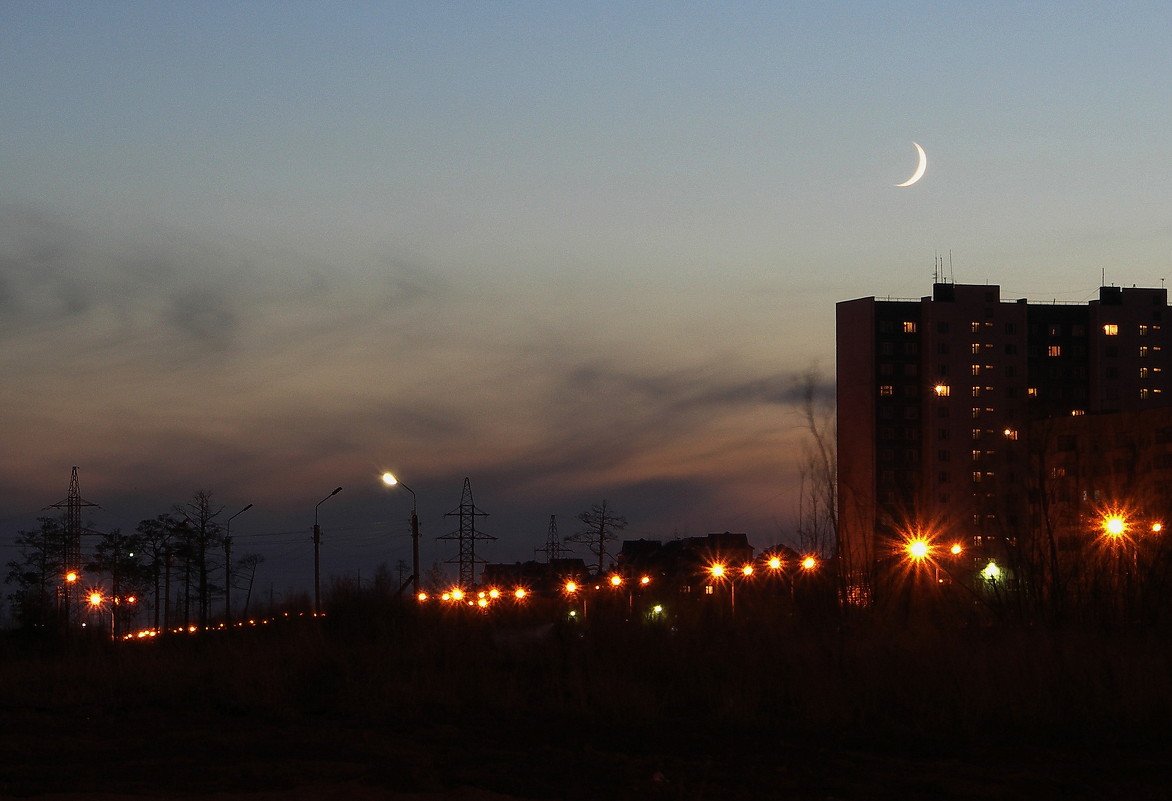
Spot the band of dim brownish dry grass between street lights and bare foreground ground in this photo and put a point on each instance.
(935, 693)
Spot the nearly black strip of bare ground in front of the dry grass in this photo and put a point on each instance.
(146, 757)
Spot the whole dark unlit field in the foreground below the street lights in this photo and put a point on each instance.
(373, 704)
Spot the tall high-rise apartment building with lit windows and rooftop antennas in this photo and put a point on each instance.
(943, 400)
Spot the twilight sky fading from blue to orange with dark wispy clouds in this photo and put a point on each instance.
(571, 252)
